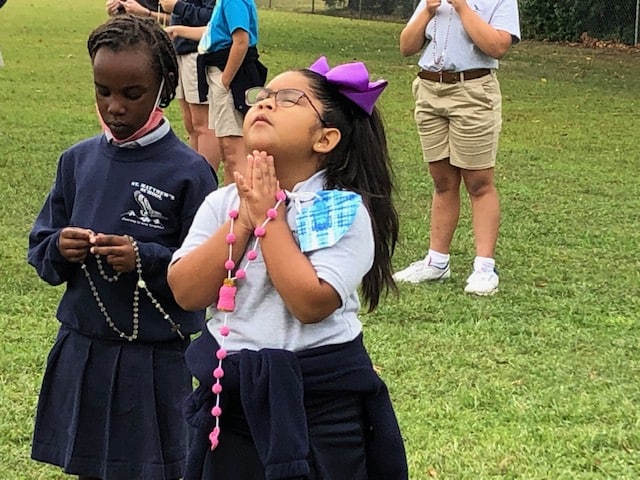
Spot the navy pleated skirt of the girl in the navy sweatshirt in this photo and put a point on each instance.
(113, 410)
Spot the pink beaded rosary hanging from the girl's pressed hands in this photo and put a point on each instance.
(226, 301)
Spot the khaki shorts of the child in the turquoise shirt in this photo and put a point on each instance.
(223, 116)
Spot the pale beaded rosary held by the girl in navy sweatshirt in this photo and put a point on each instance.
(140, 284)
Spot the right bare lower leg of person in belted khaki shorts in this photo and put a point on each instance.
(485, 209)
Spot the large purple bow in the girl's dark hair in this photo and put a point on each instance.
(352, 80)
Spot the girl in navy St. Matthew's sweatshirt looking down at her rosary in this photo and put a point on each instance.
(110, 406)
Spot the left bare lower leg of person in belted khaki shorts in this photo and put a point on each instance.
(445, 205)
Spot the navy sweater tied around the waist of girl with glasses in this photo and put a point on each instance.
(273, 384)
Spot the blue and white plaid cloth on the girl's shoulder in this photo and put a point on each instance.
(326, 221)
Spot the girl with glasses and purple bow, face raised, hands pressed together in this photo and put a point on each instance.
(287, 389)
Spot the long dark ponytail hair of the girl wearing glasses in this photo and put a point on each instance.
(361, 163)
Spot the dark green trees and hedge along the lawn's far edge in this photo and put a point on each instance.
(552, 20)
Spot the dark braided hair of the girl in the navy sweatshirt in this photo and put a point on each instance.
(126, 31)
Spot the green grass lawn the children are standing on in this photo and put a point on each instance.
(537, 382)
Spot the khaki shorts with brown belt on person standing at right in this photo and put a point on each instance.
(459, 121)
